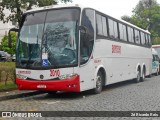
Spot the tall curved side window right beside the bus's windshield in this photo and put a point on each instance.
(87, 38)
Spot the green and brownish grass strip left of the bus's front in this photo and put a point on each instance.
(7, 82)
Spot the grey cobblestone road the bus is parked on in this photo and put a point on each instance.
(124, 96)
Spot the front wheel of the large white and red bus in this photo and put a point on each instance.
(99, 83)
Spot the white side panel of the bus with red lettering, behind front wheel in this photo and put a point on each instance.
(120, 59)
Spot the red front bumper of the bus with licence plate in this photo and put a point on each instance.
(70, 85)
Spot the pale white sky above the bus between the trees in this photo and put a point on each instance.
(115, 8)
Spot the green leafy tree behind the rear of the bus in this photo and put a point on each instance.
(146, 15)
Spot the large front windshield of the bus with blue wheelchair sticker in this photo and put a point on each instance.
(48, 39)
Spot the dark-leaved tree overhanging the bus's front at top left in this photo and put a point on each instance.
(18, 6)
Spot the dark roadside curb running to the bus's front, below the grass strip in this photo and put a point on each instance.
(20, 95)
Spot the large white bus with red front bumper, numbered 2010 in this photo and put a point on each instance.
(75, 48)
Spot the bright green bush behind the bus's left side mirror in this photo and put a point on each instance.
(5, 43)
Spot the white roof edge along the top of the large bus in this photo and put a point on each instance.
(82, 7)
